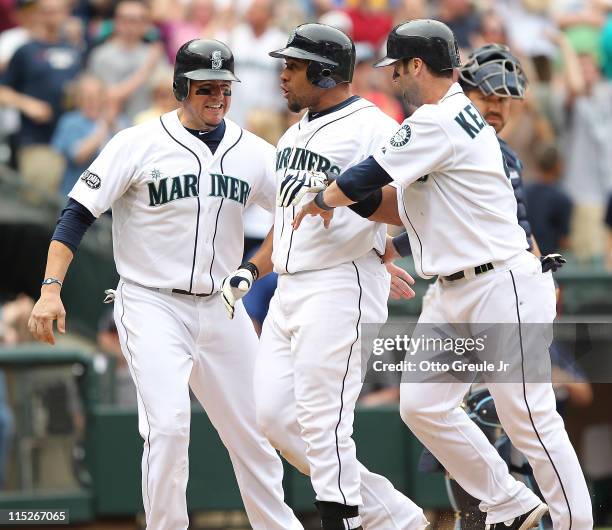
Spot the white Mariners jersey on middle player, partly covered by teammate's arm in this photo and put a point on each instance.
(331, 143)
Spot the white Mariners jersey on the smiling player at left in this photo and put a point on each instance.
(172, 198)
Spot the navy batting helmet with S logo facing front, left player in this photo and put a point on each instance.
(201, 59)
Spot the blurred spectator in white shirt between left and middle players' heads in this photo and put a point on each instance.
(251, 41)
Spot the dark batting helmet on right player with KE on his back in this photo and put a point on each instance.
(427, 39)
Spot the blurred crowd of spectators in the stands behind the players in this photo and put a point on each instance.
(74, 72)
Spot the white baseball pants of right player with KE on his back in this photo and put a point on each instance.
(527, 409)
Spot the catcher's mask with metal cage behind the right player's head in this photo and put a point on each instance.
(495, 71)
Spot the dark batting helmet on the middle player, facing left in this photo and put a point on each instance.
(329, 52)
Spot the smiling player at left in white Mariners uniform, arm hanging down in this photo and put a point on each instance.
(178, 187)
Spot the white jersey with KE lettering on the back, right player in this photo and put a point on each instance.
(454, 196)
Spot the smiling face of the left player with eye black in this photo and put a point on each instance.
(207, 103)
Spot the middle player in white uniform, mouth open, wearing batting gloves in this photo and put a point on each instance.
(308, 371)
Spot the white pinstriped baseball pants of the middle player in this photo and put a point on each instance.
(308, 379)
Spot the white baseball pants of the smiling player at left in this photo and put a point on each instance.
(172, 342)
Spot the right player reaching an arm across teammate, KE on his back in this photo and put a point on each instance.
(457, 205)
